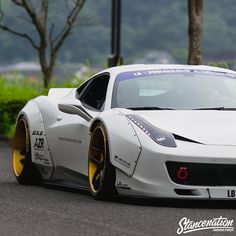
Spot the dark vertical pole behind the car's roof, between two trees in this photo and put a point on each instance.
(115, 59)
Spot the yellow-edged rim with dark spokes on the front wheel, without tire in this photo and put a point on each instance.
(97, 159)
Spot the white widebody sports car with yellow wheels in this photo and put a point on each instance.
(140, 130)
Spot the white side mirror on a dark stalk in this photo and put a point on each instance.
(75, 109)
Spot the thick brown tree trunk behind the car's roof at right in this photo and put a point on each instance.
(195, 13)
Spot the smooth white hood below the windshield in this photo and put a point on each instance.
(207, 127)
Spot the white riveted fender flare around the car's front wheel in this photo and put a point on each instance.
(124, 145)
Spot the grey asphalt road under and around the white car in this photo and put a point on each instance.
(32, 210)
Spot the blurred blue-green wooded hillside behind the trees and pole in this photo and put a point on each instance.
(155, 25)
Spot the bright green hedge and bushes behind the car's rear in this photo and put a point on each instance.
(14, 95)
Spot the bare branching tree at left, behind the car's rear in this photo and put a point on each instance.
(48, 42)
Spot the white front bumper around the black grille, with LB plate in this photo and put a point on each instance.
(151, 177)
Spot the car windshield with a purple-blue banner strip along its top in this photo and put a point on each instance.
(174, 89)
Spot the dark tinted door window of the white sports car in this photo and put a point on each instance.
(95, 94)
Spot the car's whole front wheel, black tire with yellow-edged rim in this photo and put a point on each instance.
(101, 172)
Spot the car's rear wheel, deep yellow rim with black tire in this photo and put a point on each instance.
(24, 170)
